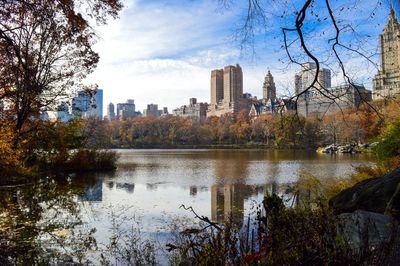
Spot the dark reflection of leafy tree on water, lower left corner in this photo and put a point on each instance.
(40, 223)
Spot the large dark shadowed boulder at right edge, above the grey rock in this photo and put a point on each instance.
(379, 194)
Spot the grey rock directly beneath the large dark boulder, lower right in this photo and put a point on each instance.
(363, 229)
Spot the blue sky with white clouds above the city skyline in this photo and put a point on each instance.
(163, 51)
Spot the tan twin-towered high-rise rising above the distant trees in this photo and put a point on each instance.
(227, 91)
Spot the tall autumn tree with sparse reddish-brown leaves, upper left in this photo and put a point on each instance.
(45, 53)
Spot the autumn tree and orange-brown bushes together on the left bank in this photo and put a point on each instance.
(45, 54)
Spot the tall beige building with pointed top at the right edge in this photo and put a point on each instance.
(387, 81)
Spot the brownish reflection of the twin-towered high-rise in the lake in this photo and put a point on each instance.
(227, 201)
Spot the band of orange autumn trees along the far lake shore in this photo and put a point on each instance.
(287, 130)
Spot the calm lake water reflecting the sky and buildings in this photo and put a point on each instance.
(149, 187)
